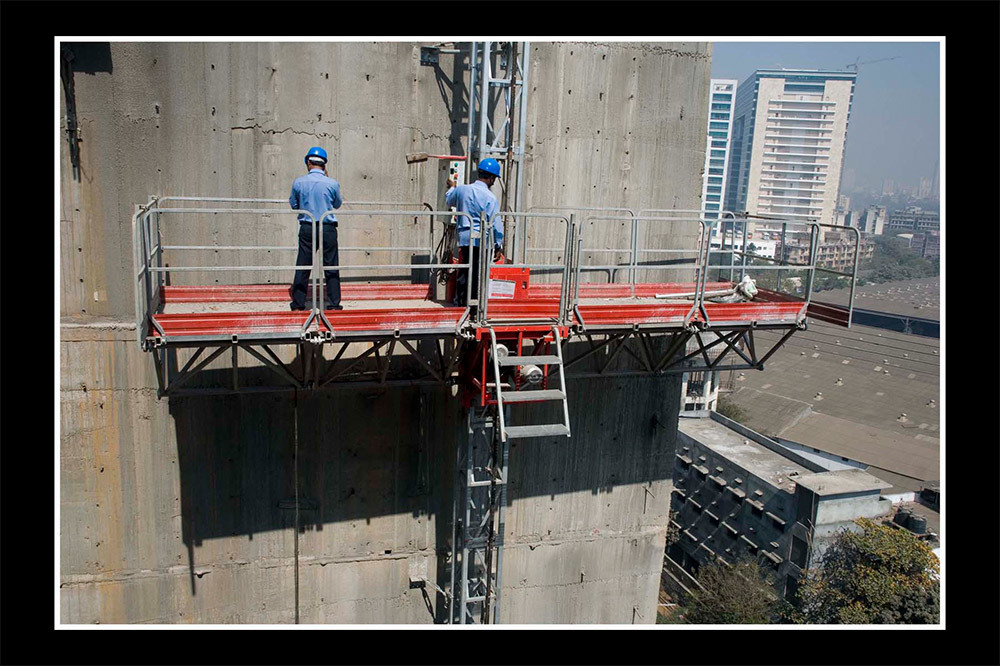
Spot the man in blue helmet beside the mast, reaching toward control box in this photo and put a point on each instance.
(474, 199)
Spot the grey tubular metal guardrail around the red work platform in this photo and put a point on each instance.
(150, 270)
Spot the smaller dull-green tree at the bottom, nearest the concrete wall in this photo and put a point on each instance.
(741, 593)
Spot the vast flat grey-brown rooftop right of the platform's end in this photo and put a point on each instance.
(845, 392)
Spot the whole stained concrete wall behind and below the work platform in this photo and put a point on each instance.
(177, 510)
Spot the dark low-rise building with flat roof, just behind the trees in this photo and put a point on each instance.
(738, 493)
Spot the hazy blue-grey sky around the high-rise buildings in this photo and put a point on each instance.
(894, 129)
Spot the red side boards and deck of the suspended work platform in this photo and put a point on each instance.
(383, 309)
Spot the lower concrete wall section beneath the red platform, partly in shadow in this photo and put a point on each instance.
(180, 510)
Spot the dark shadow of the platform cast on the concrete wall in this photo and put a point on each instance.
(354, 454)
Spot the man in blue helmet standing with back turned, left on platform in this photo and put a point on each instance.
(317, 193)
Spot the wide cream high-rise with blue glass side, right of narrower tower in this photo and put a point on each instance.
(788, 138)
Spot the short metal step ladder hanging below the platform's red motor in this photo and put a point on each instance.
(530, 395)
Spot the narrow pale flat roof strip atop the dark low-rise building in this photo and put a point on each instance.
(755, 458)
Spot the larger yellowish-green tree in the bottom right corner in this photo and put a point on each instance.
(879, 575)
